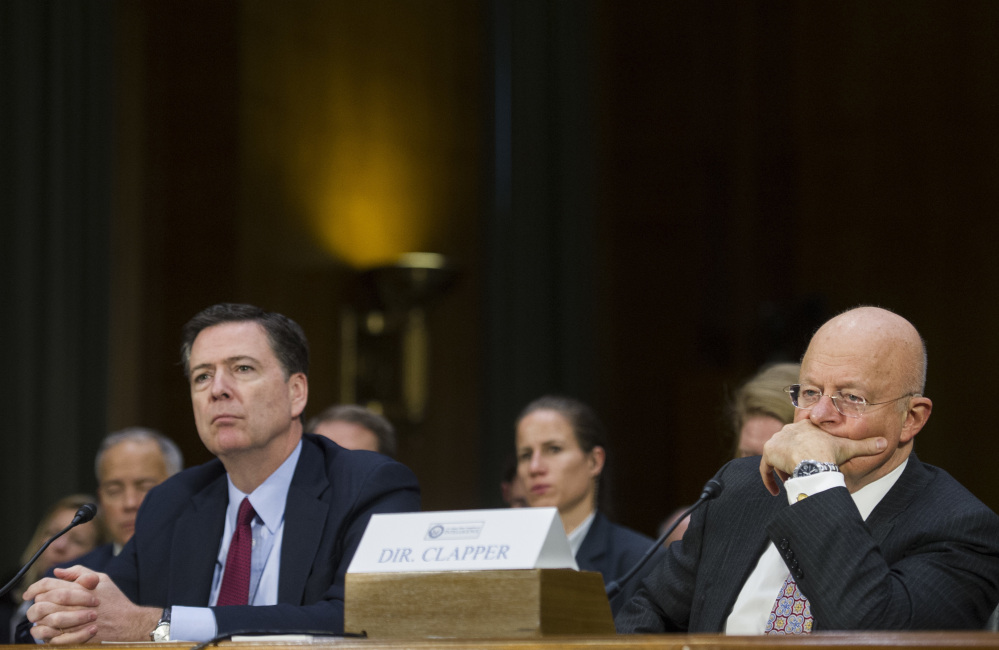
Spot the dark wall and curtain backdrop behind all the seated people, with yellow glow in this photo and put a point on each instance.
(644, 201)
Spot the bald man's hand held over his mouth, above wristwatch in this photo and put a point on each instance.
(803, 440)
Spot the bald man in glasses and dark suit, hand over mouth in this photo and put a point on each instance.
(847, 530)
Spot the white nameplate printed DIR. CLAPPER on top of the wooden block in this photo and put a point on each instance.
(464, 540)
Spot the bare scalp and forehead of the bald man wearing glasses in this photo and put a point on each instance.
(890, 343)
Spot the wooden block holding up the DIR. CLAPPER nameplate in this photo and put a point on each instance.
(477, 604)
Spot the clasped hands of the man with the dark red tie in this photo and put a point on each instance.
(80, 605)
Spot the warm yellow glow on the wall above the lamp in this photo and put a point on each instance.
(356, 132)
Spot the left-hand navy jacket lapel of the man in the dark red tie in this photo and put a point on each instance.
(195, 545)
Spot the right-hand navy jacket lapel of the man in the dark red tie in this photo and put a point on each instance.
(304, 522)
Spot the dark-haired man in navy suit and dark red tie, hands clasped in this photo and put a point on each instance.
(258, 539)
